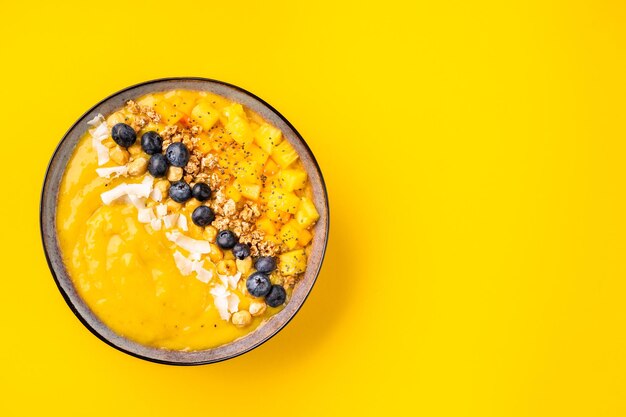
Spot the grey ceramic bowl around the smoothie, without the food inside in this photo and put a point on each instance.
(48, 214)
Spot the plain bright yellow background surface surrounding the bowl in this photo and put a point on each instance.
(474, 155)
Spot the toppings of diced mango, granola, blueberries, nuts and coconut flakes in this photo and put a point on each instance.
(221, 186)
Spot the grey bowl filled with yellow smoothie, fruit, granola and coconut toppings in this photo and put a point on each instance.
(184, 220)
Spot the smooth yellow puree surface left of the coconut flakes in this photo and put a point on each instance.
(127, 274)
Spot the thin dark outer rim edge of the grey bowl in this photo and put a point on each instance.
(66, 296)
